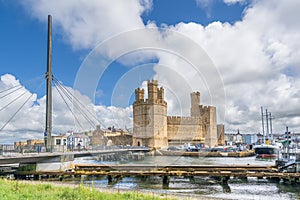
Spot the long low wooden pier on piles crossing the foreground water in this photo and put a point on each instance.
(116, 172)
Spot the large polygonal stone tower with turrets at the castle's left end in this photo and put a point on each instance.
(150, 117)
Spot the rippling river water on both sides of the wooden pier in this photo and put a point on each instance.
(202, 187)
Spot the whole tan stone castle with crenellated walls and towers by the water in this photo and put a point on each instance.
(153, 128)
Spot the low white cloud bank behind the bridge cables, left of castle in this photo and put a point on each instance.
(29, 122)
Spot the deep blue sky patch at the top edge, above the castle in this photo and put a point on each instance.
(172, 12)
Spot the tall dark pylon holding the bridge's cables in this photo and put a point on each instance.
(49, 77)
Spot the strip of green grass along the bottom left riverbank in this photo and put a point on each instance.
(11, 190)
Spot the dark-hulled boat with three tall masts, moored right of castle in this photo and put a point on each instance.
(267, 149)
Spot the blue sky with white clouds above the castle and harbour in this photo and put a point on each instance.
(240, 54)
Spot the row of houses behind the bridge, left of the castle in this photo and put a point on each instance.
(71, 141)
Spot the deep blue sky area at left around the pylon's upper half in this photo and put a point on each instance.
(24, 47)
